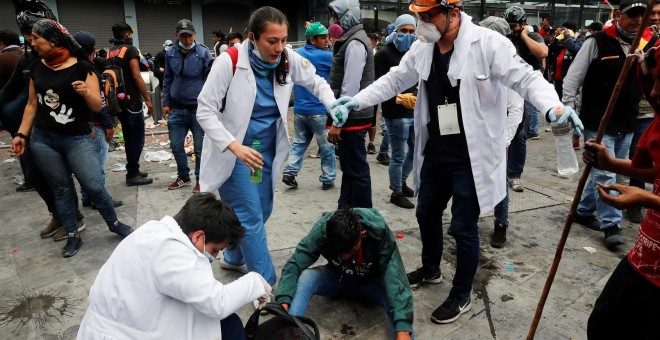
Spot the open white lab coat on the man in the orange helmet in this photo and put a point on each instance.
(486, 63)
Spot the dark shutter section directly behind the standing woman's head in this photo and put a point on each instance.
(222, 16)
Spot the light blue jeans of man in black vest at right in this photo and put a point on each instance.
(618, 146)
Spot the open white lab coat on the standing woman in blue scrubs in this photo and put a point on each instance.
(220, 129)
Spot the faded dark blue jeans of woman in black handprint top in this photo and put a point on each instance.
(59, 155)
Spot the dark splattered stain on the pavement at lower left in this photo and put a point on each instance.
(39, 307)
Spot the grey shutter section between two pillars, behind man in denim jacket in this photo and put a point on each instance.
(157, 22)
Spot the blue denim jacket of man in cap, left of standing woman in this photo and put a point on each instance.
(185, 75)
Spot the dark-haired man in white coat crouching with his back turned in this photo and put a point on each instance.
(158, 283)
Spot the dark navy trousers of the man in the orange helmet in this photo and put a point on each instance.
(438, 184)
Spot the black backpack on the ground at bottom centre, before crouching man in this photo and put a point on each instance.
(282, 326)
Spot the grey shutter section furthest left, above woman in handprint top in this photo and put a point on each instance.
(96, 17)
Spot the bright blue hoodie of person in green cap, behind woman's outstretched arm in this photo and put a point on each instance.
(304, 101)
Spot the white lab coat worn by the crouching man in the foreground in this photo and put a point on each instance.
(157, 285)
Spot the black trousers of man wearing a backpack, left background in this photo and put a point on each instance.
(132, 126)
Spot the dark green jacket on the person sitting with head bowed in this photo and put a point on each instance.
(381, 258)
